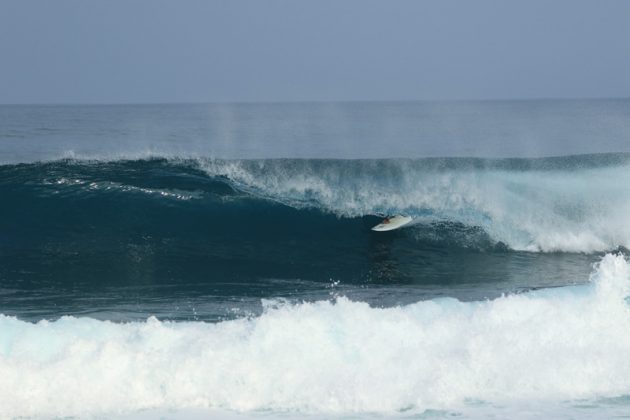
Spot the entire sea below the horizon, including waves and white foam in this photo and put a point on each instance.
(213, 260)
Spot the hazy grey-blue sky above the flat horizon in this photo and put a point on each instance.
(113, 51)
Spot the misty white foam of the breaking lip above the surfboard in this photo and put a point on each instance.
(535, 210)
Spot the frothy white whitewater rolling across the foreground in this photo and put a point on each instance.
(332, 357)
